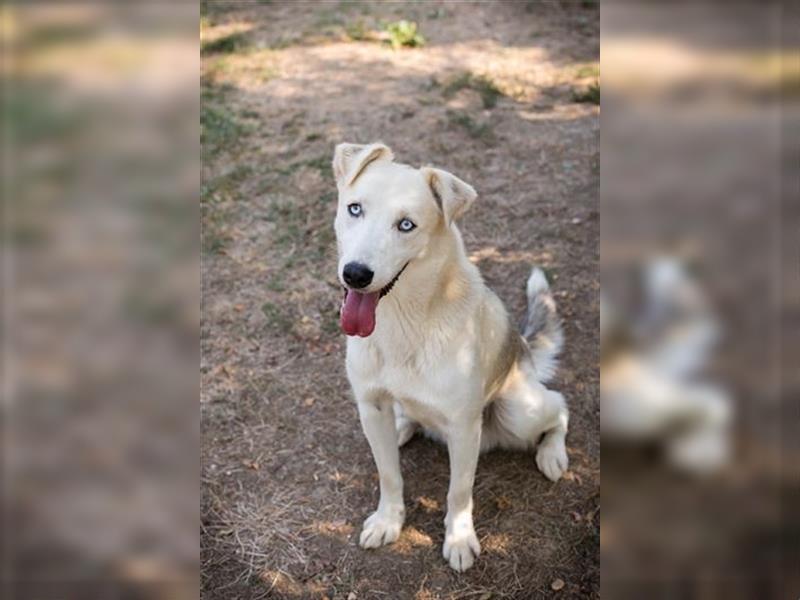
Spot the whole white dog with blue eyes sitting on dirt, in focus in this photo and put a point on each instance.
(430, 345)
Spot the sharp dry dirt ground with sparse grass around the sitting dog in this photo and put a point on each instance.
(502, 95)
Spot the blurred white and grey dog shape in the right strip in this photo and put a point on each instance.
(652, 359)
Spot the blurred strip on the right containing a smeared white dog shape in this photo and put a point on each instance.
(699, 190)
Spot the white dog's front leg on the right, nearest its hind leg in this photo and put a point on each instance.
(461, 545)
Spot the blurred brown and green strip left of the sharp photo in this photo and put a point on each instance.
(100, 427)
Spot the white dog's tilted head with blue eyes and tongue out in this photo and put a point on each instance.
(387, 216)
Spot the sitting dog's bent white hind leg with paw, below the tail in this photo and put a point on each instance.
(522, 412)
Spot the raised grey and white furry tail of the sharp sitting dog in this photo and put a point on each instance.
(542, 326)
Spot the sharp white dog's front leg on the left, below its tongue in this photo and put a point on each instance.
(377, 420)
